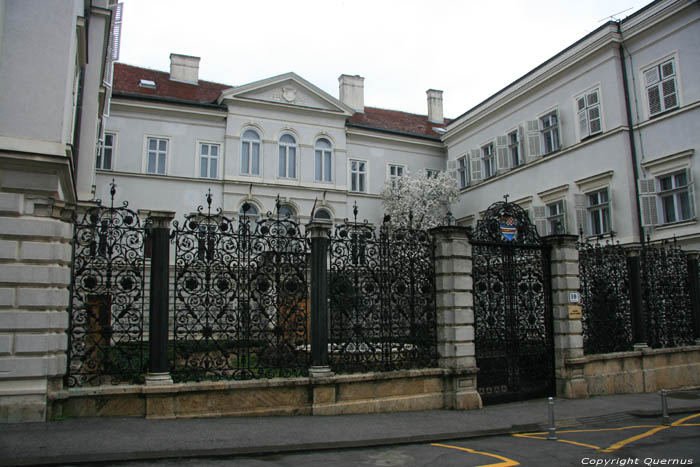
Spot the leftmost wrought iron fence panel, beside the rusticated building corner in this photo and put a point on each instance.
(106, 314)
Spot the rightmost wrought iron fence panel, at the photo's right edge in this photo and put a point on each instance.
(666, 296)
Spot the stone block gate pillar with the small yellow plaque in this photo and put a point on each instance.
(568, 331)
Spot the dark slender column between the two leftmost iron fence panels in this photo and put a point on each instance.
(158, 365)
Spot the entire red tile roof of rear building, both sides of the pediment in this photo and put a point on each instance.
(127, 78)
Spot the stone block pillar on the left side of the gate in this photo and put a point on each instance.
(455, 317)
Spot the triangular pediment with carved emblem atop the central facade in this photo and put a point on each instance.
(288, 90)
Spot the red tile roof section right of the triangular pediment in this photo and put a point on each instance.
(396, 121)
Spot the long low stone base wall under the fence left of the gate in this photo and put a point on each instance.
(398, 391)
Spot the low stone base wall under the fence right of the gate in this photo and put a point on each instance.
(644, 370)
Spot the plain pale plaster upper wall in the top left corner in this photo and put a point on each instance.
(37, 69)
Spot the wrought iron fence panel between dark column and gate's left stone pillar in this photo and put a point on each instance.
(381, 298)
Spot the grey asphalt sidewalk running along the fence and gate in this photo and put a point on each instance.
(111, 439)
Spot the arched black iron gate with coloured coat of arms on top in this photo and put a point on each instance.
(512, 306)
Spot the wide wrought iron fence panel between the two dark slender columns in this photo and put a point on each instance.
(240, 296)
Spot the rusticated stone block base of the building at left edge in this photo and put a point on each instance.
(35, 256)
